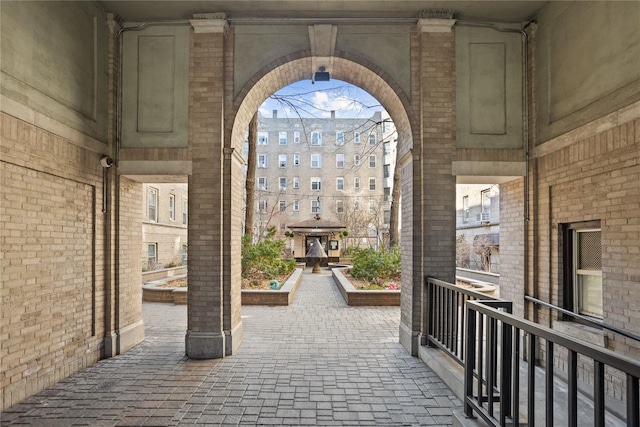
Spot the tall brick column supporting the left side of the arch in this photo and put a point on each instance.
(205, 338)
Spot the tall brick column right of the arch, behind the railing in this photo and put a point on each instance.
(434, 188)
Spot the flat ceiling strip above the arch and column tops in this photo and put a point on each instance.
(496, 11)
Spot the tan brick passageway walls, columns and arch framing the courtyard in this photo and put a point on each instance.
(548, 107)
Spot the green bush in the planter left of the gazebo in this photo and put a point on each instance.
(264, 259)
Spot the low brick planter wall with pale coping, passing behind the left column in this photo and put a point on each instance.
(152, 292)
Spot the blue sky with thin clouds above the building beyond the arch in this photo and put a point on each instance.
(318, 100)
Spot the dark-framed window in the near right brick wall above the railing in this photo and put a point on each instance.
(583, 261)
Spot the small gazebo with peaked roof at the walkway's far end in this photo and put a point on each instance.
(327, 232)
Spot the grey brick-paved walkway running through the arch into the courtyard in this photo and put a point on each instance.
(316, 362)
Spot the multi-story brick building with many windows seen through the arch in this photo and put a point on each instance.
(334, 168)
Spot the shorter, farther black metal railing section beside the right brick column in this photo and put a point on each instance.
(445, 316)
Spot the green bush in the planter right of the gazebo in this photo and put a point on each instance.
(376, 266)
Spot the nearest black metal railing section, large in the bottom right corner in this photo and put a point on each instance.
(493, 384)
